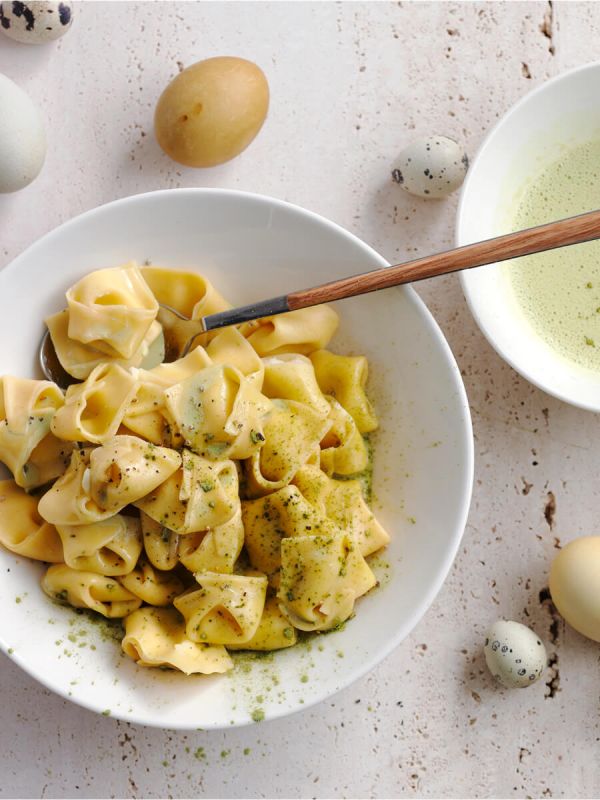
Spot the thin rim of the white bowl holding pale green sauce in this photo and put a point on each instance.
(461, 239)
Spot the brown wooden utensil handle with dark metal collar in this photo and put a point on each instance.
(564, 232)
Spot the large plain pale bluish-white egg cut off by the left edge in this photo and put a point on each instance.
(22, 138)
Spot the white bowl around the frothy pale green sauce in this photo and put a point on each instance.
(561, 113)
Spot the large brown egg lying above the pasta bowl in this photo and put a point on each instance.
(211, 111)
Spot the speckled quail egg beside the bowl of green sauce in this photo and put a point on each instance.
(431, 167)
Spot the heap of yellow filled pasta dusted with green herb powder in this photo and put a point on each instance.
(212, 503)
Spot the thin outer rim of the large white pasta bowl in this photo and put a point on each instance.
(464, 422)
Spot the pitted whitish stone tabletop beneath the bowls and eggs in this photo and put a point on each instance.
(351, 84)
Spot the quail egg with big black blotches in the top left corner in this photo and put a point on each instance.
(35, 22)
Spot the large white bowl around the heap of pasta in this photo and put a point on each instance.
(252, 247)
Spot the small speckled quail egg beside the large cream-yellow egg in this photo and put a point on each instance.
(514, 654)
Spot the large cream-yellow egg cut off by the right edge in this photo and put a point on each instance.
(575, 585)
